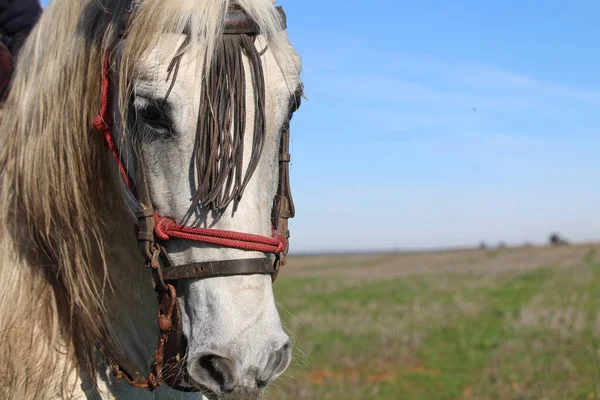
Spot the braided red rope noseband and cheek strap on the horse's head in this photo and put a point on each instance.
(166, 228)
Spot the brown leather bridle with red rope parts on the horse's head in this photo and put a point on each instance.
(153, 230)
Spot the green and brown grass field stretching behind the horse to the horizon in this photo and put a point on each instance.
(474, 324)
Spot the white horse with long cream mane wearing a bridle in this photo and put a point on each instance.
(145, 199)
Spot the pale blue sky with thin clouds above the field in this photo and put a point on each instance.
(444, 123)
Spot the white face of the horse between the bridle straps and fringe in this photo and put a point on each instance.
(235, 341)
